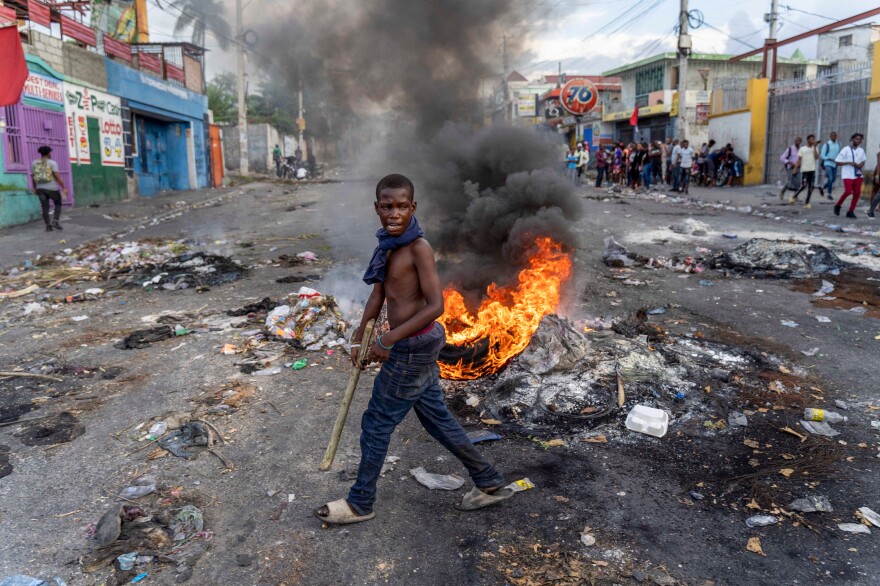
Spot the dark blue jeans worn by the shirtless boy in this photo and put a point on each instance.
(410, 379)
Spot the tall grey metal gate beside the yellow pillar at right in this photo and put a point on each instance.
(836, 101)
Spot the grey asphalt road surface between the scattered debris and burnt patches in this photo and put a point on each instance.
(624, 490)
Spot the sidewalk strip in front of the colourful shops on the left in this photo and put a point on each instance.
(85, 224)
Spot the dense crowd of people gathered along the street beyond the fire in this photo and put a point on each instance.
(669, 165)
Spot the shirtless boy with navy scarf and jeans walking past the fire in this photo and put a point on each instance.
(403, 273)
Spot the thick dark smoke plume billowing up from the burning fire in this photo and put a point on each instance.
(411, 74)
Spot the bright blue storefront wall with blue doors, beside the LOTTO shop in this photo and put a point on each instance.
(163, 116)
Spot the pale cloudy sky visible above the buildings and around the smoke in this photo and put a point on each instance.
(572, 30)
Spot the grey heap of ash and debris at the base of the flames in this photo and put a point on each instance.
(571, 380)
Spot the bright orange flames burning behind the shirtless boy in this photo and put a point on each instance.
(508, 316)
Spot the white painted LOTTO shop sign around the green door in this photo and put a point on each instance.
(81, 103)
